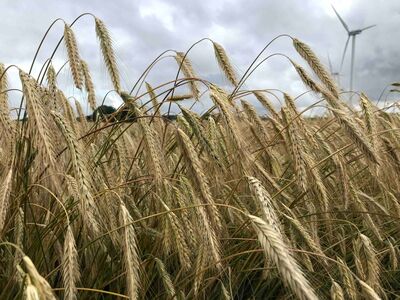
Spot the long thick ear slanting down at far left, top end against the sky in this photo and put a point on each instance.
(38, 117)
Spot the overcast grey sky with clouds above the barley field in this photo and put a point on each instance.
(143, 29)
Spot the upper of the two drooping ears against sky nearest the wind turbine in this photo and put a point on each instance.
(312, 60)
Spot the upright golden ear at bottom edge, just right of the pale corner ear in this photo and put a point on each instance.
(70, 266)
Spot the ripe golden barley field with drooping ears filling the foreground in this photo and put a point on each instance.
(227, 204)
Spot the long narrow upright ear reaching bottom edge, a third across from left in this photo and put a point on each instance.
(130, 252)
